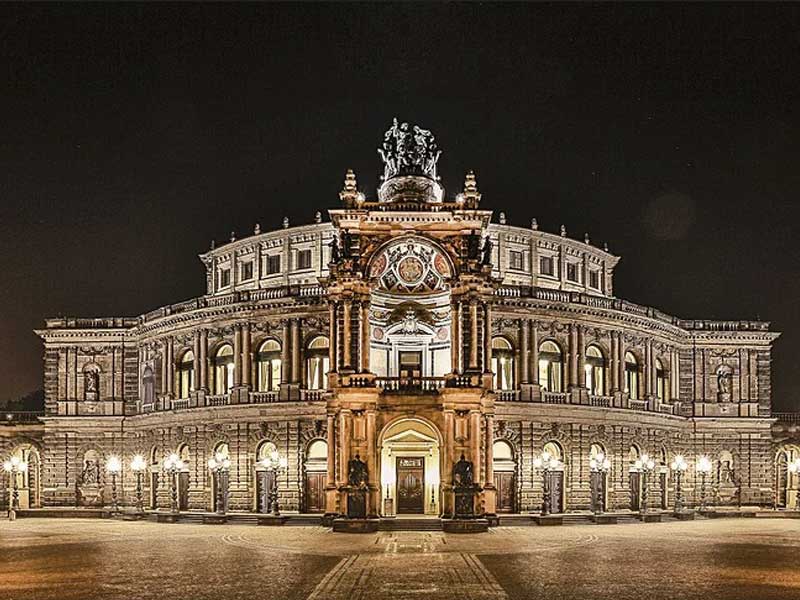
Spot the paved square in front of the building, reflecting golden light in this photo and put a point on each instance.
(727, 559)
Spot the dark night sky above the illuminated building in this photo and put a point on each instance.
(133, 135)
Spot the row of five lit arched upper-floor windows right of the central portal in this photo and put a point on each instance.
(551, 370)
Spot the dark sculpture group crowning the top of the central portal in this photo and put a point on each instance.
(408, 150)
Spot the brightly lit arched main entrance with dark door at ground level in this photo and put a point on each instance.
(410, 467)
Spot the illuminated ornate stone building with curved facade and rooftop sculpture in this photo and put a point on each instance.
(397, 333)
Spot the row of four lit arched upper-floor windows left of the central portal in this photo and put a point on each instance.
(267, 365)
